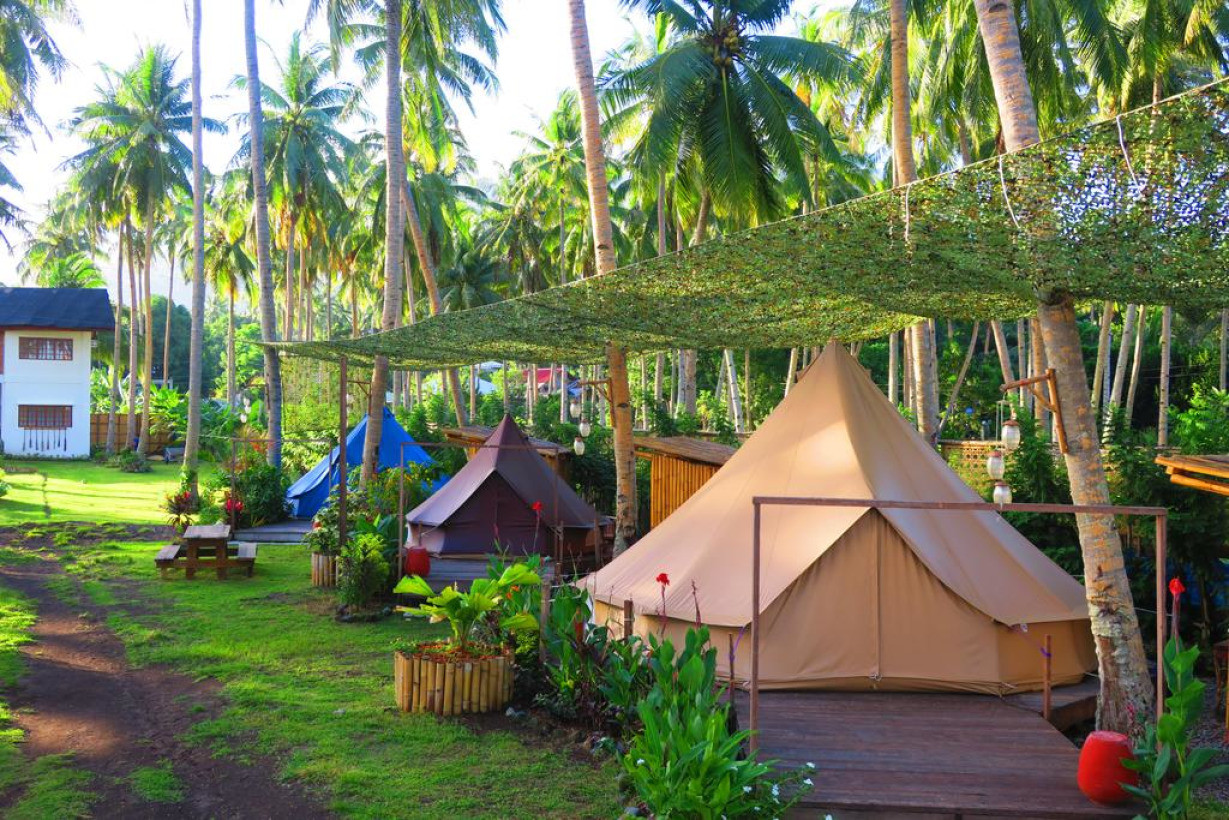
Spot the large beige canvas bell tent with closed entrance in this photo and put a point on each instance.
(855, 598)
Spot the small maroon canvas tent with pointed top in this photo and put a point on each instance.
(490, 506)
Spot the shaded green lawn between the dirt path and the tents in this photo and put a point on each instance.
(316, 695)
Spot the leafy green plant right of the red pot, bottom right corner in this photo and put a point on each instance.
(1171, 771)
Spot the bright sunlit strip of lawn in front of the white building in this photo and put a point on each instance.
(83, 491)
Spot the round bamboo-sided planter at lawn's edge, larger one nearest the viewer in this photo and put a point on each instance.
(433, 683)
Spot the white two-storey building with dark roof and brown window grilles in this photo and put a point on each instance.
(46, 337)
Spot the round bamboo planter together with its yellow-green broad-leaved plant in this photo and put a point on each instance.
(461, 674)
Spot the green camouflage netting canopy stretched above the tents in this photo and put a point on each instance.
(1130, 210)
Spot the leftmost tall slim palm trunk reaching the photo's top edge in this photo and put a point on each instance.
(196, 345)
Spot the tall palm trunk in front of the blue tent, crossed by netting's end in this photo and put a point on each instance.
(395, 234)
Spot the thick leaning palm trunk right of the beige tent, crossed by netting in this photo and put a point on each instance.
(1126, 690)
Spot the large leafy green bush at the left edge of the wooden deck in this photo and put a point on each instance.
(686, 762)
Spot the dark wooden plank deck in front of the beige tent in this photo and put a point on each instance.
(905, 755)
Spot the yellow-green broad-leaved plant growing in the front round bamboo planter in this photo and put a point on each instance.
(464, 610)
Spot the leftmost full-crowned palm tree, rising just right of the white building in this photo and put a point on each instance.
(133, 137)
